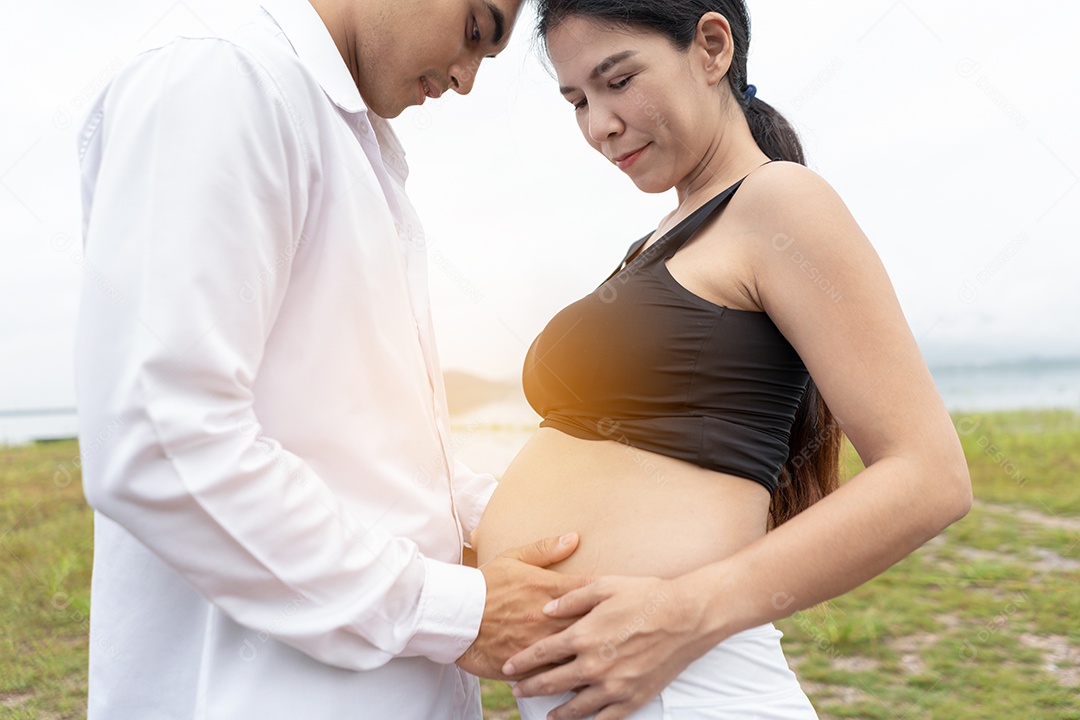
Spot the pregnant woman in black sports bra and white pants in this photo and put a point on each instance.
(693, 404)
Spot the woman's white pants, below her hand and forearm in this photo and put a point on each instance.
(744, 678)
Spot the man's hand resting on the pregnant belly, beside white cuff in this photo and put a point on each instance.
(518, 590)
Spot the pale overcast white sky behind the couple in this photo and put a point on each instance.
(949, 129)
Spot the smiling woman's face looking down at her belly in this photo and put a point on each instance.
(652, 111)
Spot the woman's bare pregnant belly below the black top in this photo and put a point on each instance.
(638, 513)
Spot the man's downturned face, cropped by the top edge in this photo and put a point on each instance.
(421, 49)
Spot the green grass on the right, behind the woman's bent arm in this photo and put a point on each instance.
(948, 633)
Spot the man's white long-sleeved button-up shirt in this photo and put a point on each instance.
(279, 519)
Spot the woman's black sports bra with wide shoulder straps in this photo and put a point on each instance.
(645, 362)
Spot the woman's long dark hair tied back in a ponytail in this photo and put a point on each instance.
(813, 470)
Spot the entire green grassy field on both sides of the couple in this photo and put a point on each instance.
(980, 623)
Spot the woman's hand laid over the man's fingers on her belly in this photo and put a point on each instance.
(649, 631)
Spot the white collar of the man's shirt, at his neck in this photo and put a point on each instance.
(313, 43)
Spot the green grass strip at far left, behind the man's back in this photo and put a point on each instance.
(46, 552)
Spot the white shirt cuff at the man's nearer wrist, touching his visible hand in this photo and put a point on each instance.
(452, 607)
